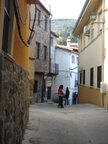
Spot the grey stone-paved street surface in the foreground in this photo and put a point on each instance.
(78, 124)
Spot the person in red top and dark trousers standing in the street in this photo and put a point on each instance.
(60, 94)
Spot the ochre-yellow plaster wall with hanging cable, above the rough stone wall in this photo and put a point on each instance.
(20, 51)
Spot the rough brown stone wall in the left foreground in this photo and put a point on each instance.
(14, 93)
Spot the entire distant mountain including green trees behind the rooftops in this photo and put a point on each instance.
(63, 28)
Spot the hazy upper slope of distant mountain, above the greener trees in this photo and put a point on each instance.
(59, 24)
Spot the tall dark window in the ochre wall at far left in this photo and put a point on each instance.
(6, 26)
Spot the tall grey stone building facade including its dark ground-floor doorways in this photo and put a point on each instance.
(41, 50)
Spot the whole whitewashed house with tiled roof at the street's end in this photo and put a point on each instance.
(67, 59)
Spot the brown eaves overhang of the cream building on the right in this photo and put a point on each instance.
(89, 7)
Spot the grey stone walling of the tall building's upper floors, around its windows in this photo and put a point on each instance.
(42, 36)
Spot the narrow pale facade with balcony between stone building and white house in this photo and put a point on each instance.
(53, 66)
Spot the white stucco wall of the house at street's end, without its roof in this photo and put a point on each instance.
(68, 71)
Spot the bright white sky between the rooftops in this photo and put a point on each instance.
(65, 8)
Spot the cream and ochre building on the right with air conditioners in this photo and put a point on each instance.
(91, 28)
